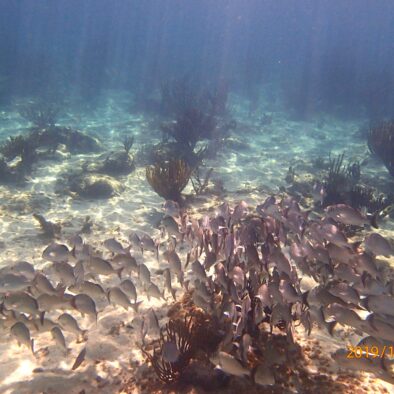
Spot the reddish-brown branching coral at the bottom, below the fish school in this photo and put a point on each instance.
(180, 337)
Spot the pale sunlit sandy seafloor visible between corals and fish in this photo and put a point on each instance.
(249, 172)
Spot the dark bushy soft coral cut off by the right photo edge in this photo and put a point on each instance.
(381, 143)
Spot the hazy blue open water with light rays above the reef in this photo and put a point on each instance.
(332, 56)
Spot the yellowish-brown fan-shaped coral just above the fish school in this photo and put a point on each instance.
(169, 178)
